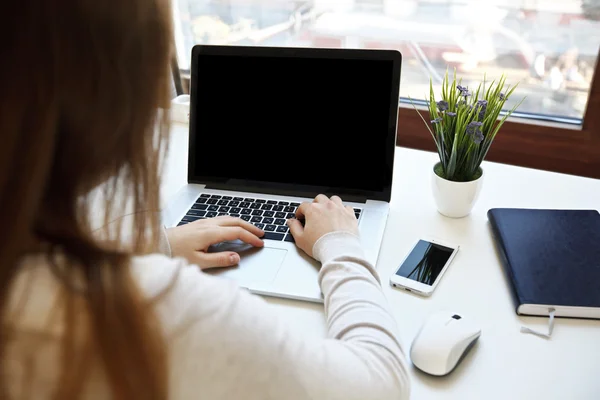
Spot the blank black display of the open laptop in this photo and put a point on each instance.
(293, 121)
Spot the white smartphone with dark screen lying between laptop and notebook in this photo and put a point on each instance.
(423, 268)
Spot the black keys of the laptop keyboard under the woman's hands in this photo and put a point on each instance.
(268, 215)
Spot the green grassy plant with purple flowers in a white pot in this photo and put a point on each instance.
(463, 125)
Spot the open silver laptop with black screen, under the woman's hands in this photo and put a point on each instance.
(272, 127)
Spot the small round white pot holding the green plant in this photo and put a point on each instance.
(455, 199)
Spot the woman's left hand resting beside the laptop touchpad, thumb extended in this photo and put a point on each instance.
(192, 240)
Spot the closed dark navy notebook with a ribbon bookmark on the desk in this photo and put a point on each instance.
(552, 259)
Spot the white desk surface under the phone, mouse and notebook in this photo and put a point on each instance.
(504, 364)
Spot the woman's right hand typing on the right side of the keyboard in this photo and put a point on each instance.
(322, 216)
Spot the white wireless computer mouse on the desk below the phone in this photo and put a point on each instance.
(442, 342)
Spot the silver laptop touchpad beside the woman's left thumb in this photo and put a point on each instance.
(257, 265)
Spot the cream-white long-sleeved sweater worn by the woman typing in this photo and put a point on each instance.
(229, 344)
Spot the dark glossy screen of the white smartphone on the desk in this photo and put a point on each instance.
(425, 262)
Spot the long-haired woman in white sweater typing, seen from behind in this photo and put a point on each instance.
(84, 92)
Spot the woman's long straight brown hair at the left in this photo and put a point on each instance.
(84, 92)
